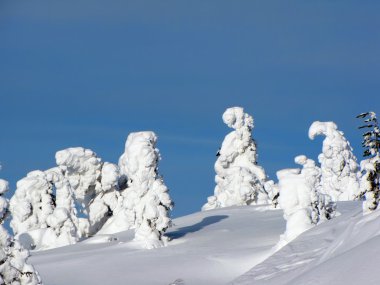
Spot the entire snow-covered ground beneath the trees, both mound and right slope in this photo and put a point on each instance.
(227, 246)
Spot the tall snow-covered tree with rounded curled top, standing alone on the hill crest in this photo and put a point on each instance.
(239, 180)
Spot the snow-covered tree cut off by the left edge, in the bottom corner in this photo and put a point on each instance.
(14, 268)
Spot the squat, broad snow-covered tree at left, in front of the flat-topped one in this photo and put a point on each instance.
(43, 210)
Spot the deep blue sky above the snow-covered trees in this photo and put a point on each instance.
(87, 73)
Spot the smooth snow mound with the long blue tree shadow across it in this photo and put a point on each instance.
(211, 247)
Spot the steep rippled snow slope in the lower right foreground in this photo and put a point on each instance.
(345, 250)
